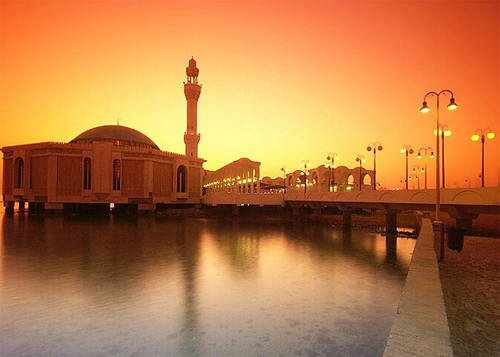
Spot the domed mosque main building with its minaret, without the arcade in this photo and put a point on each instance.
(106, 166)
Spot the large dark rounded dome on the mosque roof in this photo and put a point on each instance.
(122, 134)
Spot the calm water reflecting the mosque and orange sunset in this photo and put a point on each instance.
(146, 286)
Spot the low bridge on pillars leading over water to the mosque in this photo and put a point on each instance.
(462, 204)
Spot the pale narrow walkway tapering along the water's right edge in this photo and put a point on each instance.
(421, 325)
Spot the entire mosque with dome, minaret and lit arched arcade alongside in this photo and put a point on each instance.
(113, 166)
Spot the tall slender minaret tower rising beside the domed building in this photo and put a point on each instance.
(192, 91)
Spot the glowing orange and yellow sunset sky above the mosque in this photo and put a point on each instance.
(283, 81)
